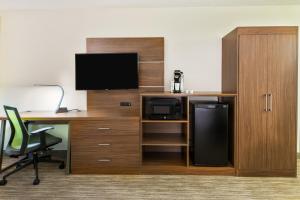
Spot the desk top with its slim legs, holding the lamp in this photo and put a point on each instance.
(58, 118)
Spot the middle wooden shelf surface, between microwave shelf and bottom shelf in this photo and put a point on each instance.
(164, 139)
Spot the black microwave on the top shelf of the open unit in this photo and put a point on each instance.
(163, 109)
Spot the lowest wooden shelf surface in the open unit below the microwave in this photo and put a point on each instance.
(163, 159)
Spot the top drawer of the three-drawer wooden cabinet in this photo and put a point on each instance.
(105, 127)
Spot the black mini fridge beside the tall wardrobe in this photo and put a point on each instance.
(210, 134)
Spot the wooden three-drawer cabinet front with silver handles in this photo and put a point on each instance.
(107, 146)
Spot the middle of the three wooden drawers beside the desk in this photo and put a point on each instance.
(106, 145)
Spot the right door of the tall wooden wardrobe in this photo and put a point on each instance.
(282, 87)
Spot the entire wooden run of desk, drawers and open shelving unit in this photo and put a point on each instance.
(107, 143)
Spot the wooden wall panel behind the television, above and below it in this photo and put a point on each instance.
(151, 72)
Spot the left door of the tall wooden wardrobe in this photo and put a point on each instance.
(252, 122)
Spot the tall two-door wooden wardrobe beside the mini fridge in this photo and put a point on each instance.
(260, 65)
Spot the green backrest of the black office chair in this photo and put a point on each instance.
(19, 134)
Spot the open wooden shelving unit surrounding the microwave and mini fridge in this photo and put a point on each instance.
(165, 144)
